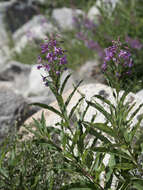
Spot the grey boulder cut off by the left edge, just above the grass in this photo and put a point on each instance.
(12, 111)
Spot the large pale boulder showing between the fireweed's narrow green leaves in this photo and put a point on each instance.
(89, 90)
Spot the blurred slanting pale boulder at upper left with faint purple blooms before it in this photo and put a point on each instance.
(37, 28)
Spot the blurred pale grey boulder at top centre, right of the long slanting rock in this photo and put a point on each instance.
(64, 17)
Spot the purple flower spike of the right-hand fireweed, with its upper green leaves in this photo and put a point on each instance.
(118, 64)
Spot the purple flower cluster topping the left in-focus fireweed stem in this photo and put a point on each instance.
(52, 58)
